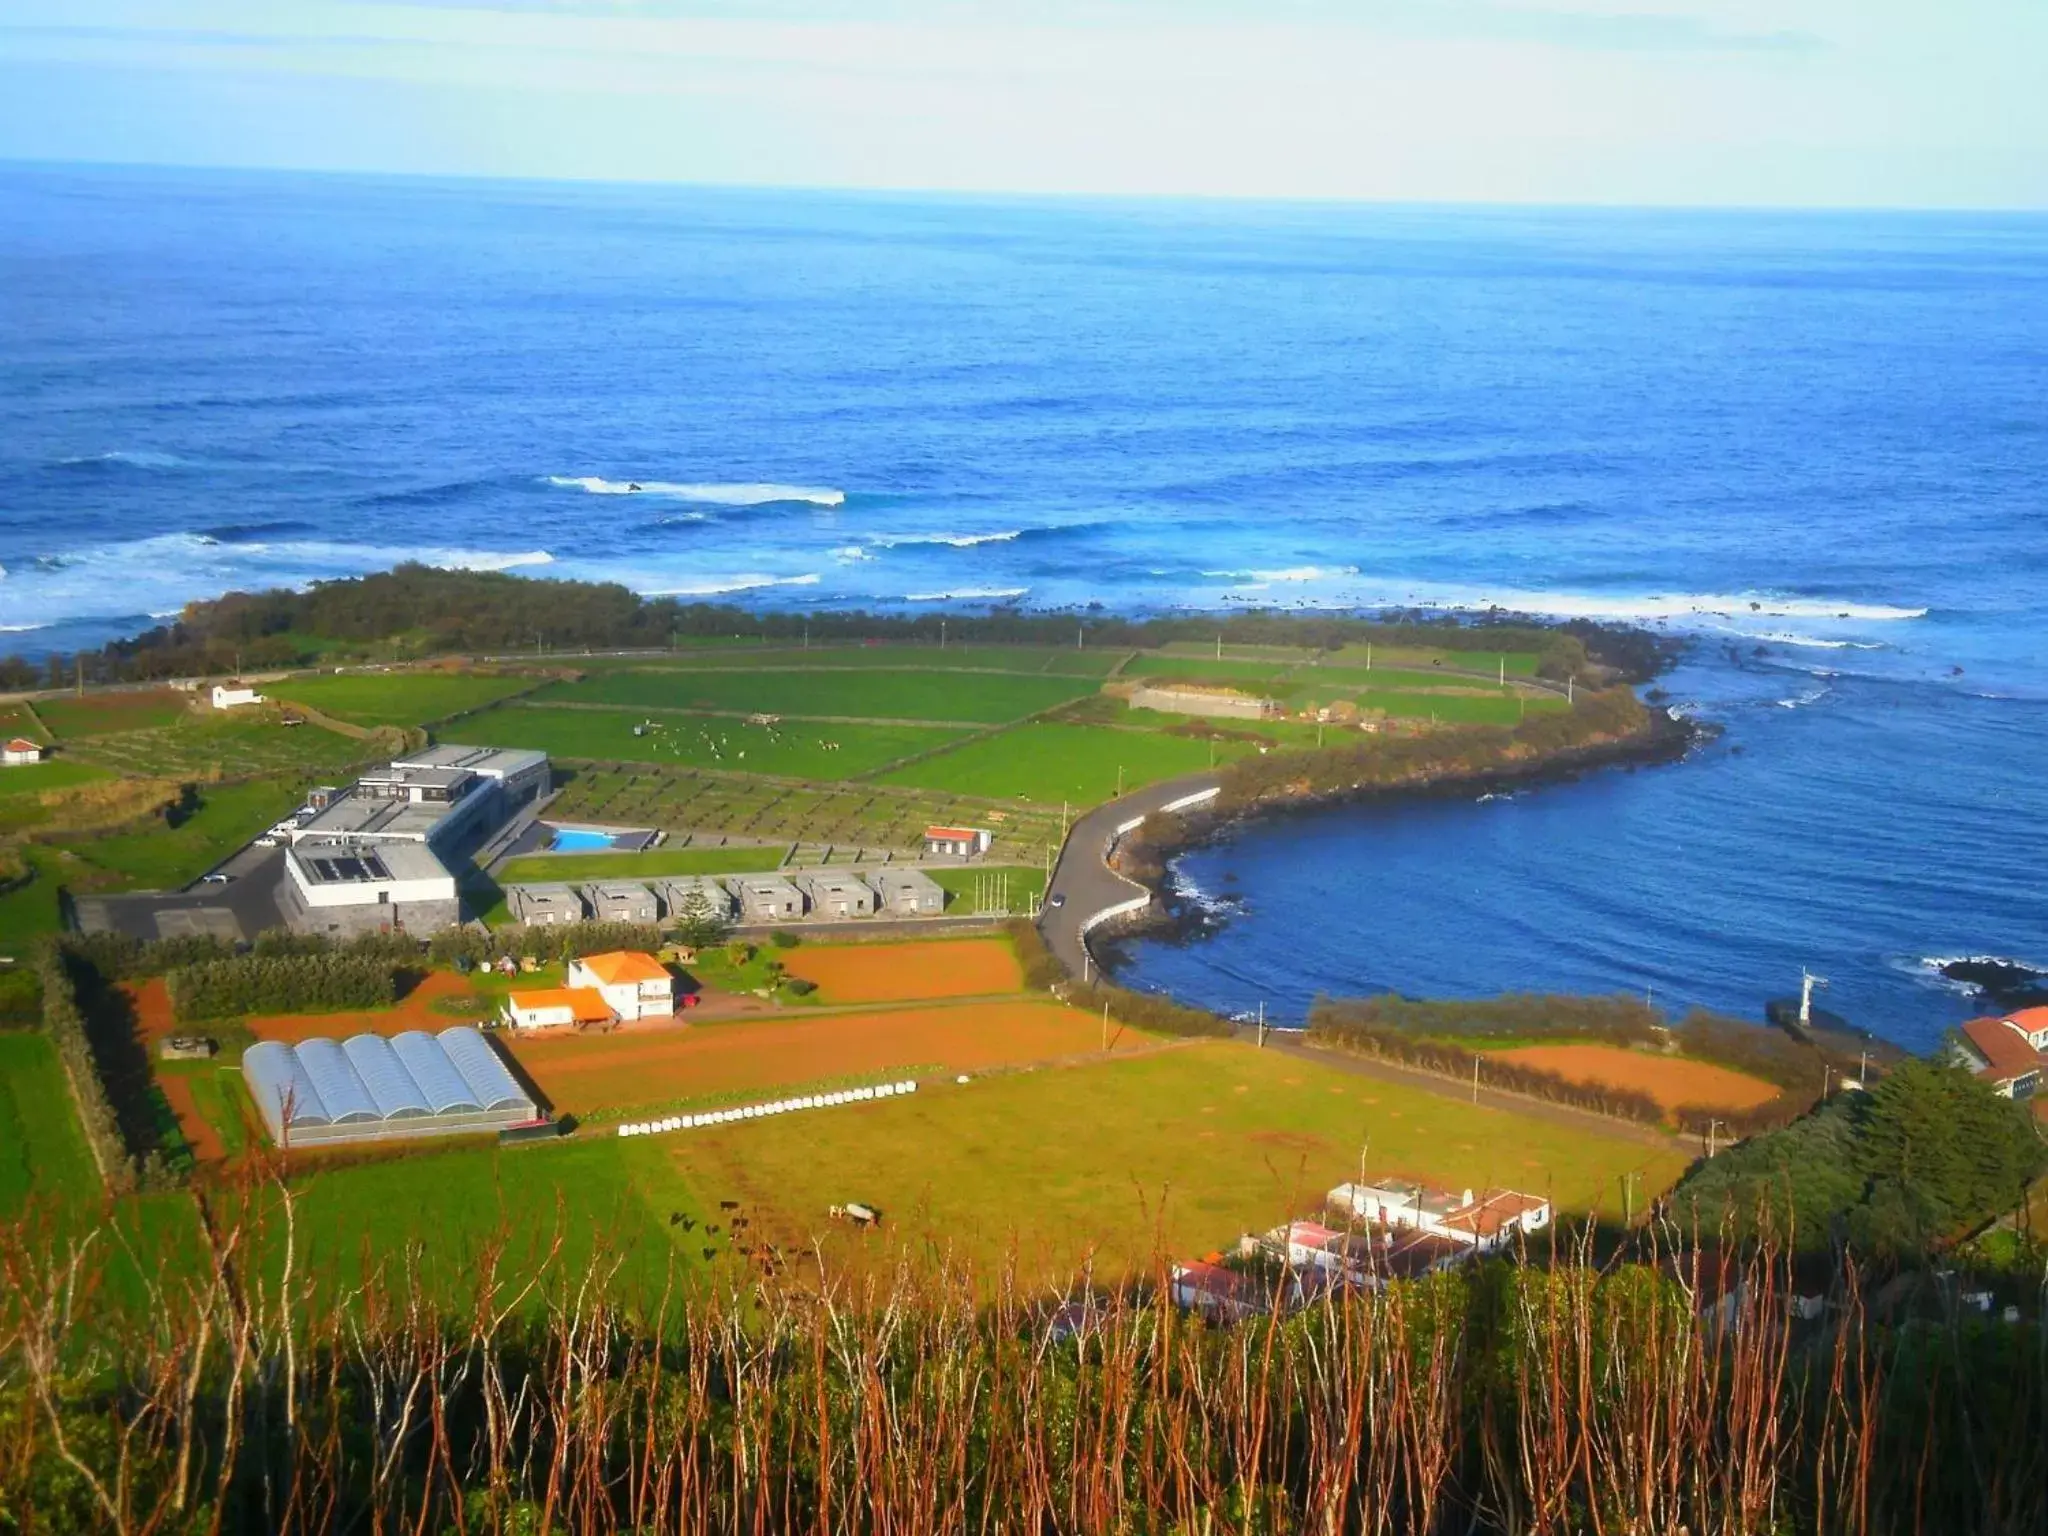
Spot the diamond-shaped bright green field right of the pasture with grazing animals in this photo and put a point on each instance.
(1050, 763)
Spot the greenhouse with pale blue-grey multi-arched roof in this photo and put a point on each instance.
(368, 1089)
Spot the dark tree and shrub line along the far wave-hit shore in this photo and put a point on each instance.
(441, 611)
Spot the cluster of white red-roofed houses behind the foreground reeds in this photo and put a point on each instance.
(1375, 1234)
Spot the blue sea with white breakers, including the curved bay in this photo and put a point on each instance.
(1818, 443)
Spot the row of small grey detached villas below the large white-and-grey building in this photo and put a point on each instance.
(734, 898)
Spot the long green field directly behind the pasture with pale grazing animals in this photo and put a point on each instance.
(867, 693)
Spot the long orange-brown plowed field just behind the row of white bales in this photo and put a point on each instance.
(583, 1074)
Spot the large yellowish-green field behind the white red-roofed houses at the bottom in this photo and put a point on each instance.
(1185, 1148)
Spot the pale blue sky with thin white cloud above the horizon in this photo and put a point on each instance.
(1764, 103)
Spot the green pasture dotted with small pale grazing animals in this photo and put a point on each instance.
(792, 751)
